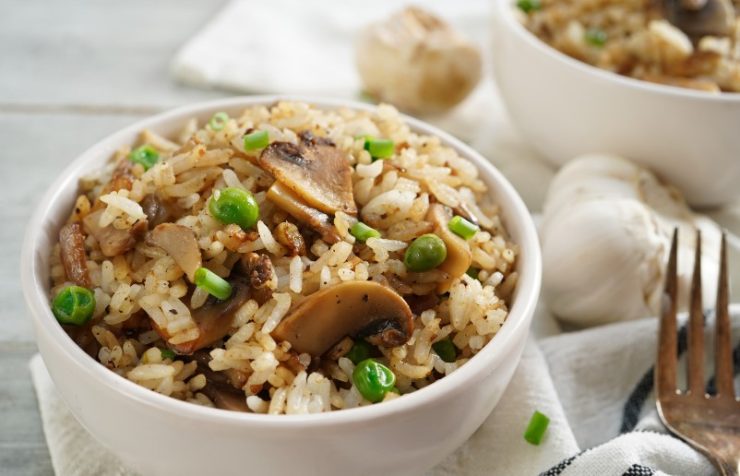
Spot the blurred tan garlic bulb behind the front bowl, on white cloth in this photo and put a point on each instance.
(417, 62)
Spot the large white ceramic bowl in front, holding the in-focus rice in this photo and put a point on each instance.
(158, 435)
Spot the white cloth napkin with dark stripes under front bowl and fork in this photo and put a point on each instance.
(595, 385)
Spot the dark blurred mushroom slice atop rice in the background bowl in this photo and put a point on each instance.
(701, 18)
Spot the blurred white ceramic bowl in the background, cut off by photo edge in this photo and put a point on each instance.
(565, 108)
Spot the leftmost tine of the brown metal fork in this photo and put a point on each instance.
(665, 370)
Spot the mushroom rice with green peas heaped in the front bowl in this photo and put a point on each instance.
(286, 260)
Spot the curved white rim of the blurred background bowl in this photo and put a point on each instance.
(506, 9)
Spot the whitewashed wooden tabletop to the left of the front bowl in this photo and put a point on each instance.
(70, 73)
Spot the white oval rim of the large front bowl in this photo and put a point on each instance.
(520, 314)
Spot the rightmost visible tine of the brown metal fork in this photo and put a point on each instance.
(722, 343)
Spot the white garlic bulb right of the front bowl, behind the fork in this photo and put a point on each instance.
(606, 234)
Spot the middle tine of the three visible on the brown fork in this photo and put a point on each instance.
(695, 339)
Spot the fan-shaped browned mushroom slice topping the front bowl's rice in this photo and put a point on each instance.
(315, 170)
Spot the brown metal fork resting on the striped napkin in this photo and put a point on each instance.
(711, 424)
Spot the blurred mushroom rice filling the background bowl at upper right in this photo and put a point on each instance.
(691, 43)
